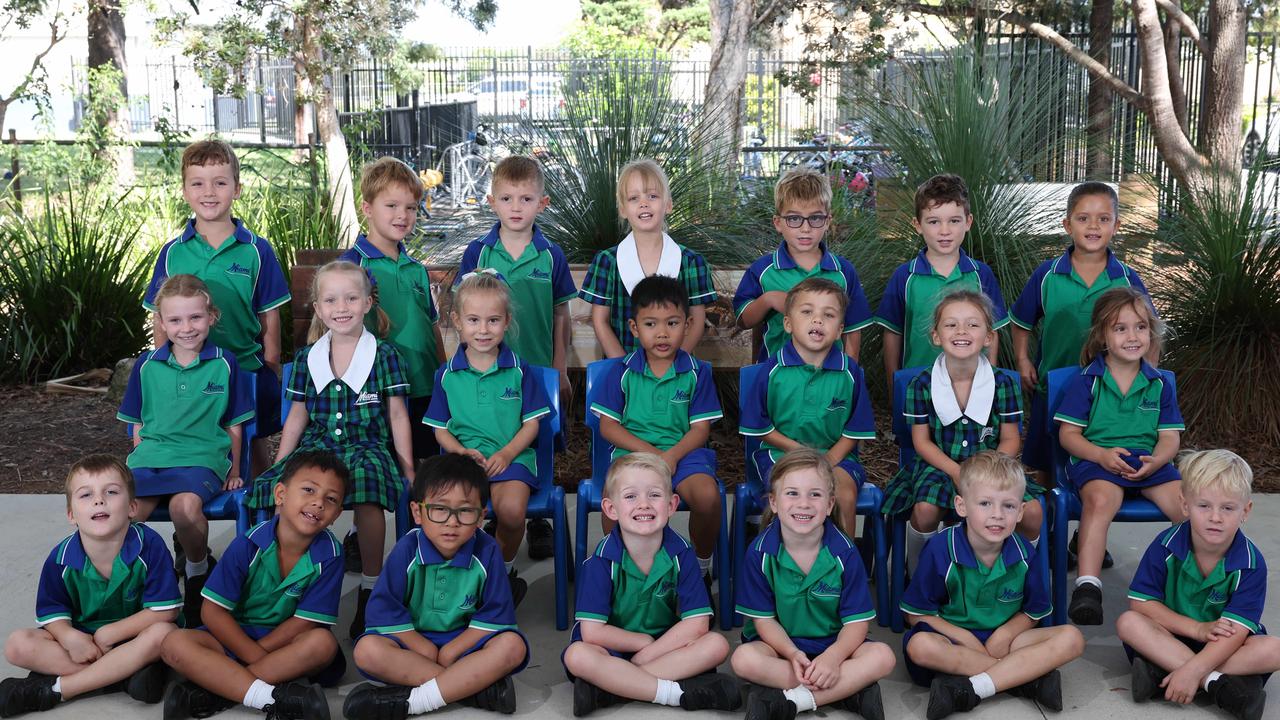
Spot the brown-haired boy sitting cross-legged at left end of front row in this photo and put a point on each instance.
(107, 600)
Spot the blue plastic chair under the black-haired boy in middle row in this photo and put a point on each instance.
(591, 491)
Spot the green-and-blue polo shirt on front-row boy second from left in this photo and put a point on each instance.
(248, 582)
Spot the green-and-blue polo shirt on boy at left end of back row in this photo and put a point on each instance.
(244, 277)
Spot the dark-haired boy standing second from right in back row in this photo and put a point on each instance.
(943, 218)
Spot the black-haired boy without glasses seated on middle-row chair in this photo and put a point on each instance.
(661, 400)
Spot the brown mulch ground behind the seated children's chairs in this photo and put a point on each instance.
(42, 435)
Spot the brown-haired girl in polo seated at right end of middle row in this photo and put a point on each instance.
(1121, 423)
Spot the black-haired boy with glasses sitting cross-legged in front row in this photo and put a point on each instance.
(442, 627)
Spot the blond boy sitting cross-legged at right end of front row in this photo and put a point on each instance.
(1195, 618)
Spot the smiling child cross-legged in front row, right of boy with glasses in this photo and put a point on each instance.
(643, 621)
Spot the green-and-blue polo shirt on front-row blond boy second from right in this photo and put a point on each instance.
(950, 584)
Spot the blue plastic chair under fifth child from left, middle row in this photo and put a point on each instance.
(746, 503)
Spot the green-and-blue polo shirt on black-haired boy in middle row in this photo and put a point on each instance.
(659, 411)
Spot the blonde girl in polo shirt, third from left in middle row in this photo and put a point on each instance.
(487, 404)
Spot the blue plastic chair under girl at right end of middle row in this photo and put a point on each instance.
(1068, 504)
